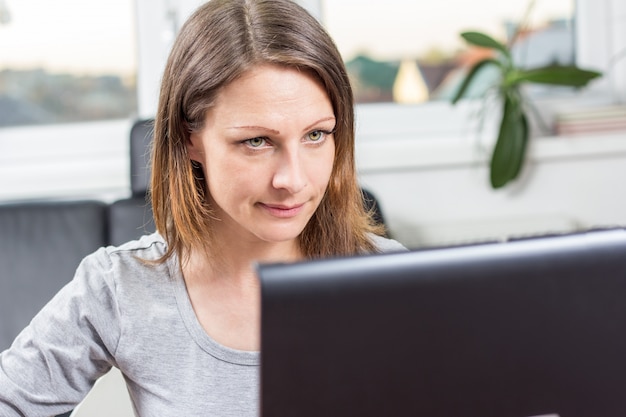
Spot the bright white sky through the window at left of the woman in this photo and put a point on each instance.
(81, 36)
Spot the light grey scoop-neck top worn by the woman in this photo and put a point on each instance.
(121, 311)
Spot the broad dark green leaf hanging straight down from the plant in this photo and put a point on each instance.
(508, 154)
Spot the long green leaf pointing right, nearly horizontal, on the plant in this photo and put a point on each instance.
(555, 75)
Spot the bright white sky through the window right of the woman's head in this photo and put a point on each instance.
(392, 29)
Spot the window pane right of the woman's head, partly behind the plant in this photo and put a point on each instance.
(412, 52)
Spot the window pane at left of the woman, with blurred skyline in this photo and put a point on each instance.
(66, 61)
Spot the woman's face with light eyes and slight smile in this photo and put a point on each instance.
(267, 149)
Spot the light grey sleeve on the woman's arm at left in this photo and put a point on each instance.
(71, 342)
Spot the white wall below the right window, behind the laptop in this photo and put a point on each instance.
(568, 184)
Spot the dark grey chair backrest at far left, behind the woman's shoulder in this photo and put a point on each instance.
(41, 244)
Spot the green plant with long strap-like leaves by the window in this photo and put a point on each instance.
(510, 147)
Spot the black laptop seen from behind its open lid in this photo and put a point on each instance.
(532, 327)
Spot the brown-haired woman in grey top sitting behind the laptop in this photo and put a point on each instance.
(253, 161)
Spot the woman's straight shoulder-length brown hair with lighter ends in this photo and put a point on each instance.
(218, 43)
